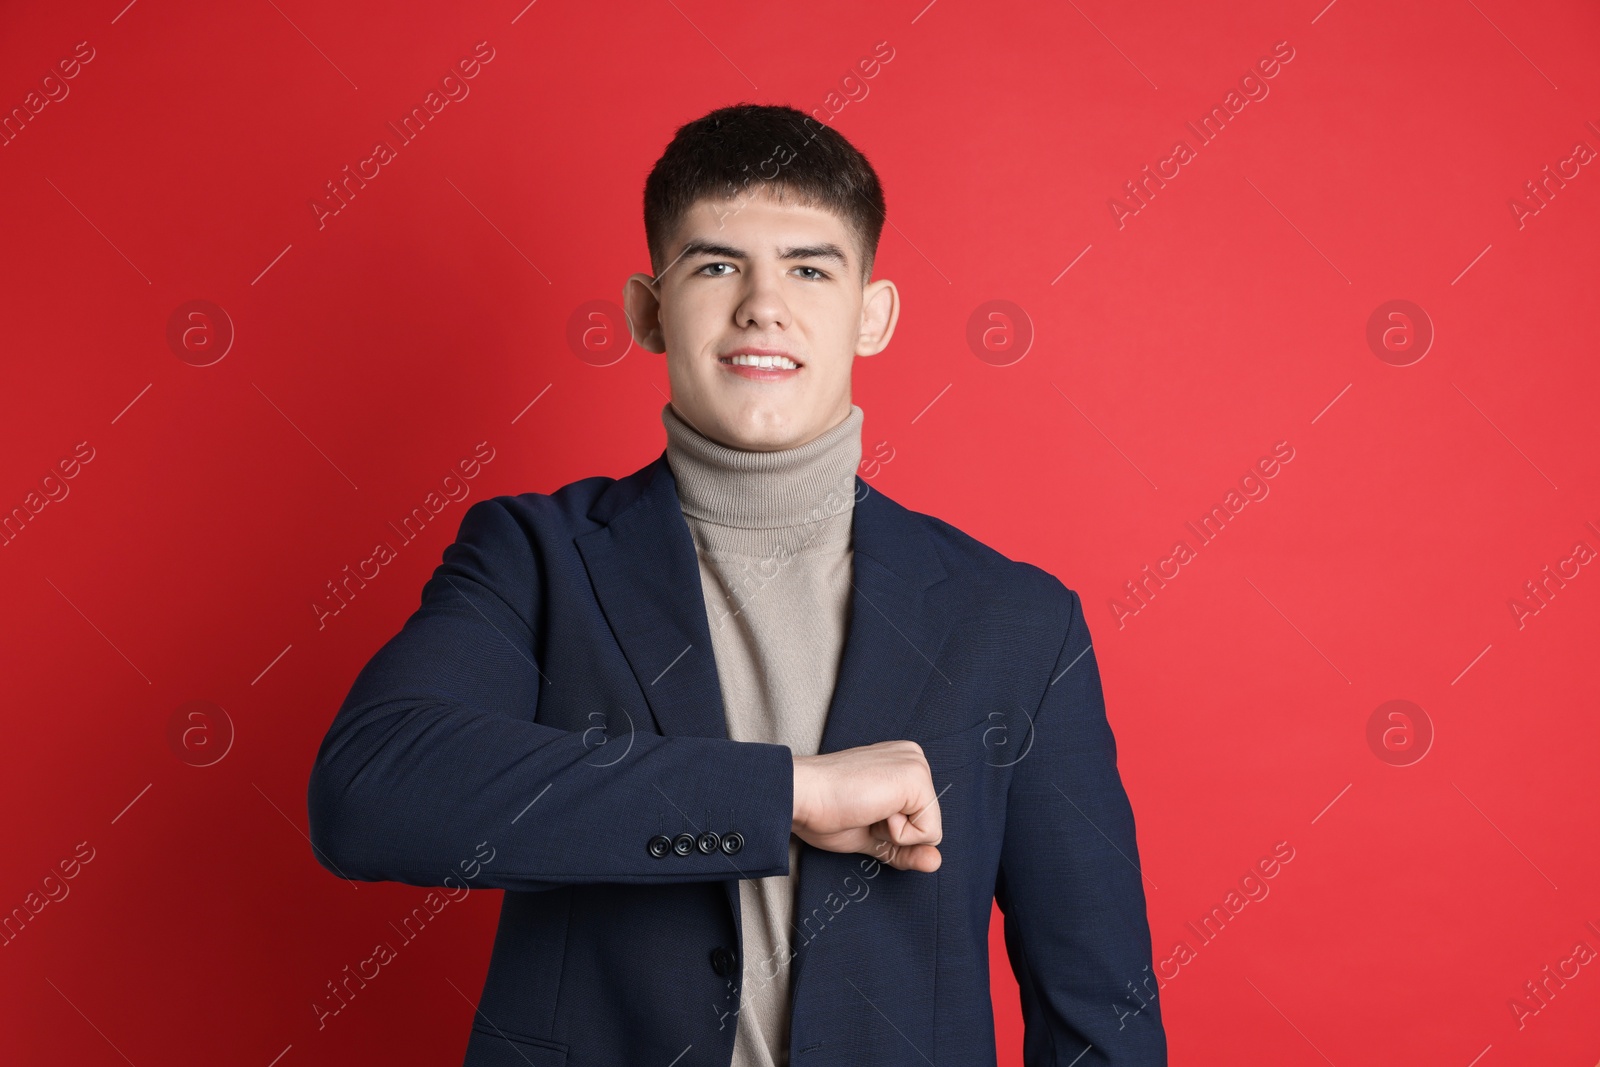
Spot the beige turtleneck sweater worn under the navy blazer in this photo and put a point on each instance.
(772, 532)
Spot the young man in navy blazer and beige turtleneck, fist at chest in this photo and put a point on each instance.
(753, 748)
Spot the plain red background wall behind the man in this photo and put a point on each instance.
(1226, 316)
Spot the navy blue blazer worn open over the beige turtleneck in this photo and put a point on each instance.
(554, 706)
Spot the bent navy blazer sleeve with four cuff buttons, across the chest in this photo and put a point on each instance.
(436, 751)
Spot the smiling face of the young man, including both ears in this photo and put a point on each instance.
(761, 281)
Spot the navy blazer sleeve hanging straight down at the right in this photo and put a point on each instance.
(1070, 882)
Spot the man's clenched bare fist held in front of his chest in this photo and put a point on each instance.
(878, 799)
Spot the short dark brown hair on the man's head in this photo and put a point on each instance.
(748, 150)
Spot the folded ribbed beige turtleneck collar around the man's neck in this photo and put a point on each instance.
(775, 490)
